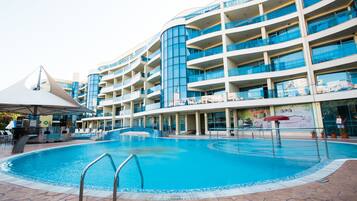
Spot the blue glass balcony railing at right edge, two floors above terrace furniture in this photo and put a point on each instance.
(326, 23)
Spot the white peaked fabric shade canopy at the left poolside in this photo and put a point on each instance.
(38, 93)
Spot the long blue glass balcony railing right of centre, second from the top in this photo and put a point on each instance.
(267, 41)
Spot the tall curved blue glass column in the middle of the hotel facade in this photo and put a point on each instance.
(173, 62)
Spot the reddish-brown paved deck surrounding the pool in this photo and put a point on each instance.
(339, 186)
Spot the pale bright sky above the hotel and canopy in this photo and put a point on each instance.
(75, 35)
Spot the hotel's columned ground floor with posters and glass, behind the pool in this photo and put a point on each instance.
(302, 116)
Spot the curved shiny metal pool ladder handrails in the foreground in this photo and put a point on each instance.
(116, 175)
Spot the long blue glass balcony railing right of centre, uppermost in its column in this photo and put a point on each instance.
(272, 15)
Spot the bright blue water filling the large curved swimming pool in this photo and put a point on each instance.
(171, 165)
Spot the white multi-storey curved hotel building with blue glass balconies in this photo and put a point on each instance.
(232, 63)
